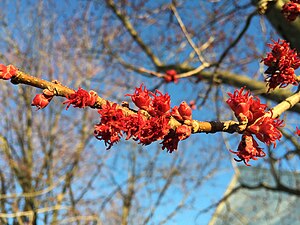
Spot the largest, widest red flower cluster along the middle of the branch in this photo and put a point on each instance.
(149, 124)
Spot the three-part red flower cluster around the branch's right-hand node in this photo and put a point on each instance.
(251, 112)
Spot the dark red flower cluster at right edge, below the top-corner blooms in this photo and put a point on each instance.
(282, 62)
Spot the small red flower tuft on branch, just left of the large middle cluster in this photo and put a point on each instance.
(81, 98)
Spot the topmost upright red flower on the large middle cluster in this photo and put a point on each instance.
(141, 98)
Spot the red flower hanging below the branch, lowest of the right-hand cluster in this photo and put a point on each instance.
(248, 149)
